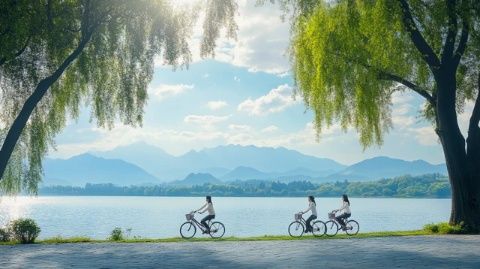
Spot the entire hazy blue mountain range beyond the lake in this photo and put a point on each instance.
(140, 163)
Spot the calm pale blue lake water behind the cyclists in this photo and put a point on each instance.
(157, 217)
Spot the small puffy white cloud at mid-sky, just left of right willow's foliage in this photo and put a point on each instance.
(276, 100)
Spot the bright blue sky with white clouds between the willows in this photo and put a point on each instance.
(245, 96)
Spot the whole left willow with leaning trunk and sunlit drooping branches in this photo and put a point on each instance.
(57, 56)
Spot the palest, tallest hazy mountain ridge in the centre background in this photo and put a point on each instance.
(218, 161)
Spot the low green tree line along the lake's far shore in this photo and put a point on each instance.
(425, 186)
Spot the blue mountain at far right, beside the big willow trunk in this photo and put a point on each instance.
(385, 167)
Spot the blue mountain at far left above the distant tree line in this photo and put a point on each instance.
(87, 168)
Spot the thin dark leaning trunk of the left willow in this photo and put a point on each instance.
(21, 120)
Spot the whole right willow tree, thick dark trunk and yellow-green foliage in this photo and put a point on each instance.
(350, 56)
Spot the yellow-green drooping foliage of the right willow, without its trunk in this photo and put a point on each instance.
(348, 57)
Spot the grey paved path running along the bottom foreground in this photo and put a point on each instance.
(391, 252)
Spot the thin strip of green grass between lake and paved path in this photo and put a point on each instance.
(62, 240)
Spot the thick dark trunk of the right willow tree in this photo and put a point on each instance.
(462, 165)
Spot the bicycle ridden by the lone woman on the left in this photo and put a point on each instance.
(189, 228)
